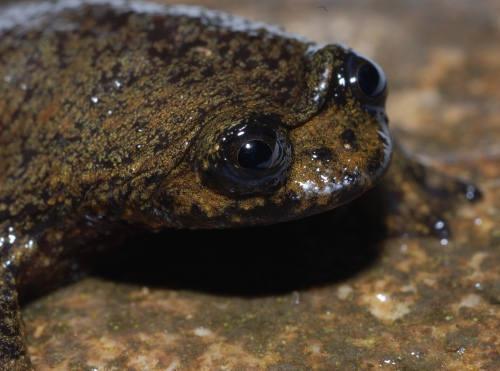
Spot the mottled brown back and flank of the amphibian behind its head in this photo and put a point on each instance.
(98, 93)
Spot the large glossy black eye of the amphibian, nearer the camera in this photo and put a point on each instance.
(251, 158)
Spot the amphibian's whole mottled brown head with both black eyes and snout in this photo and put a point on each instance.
(267, 158)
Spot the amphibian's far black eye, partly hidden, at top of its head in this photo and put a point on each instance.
(367, 78)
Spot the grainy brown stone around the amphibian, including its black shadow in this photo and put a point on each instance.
(304, 296)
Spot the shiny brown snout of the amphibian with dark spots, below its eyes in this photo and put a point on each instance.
(342, 166)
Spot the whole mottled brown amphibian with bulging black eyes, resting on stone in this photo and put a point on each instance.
(121, 116)
